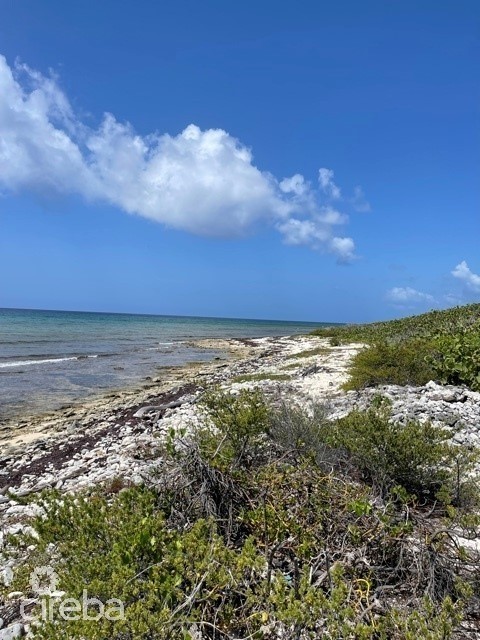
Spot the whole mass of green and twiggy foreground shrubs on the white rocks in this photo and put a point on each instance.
(269, 523)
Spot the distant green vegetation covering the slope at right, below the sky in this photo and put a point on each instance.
(440, 345)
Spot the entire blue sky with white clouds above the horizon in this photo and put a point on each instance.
(317, 161)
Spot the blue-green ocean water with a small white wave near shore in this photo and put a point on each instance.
(50, 359)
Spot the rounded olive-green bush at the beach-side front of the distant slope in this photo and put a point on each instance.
(402, 363)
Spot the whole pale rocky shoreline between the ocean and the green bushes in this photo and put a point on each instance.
(119, 436)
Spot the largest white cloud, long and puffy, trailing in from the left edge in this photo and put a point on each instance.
(202, 182)
